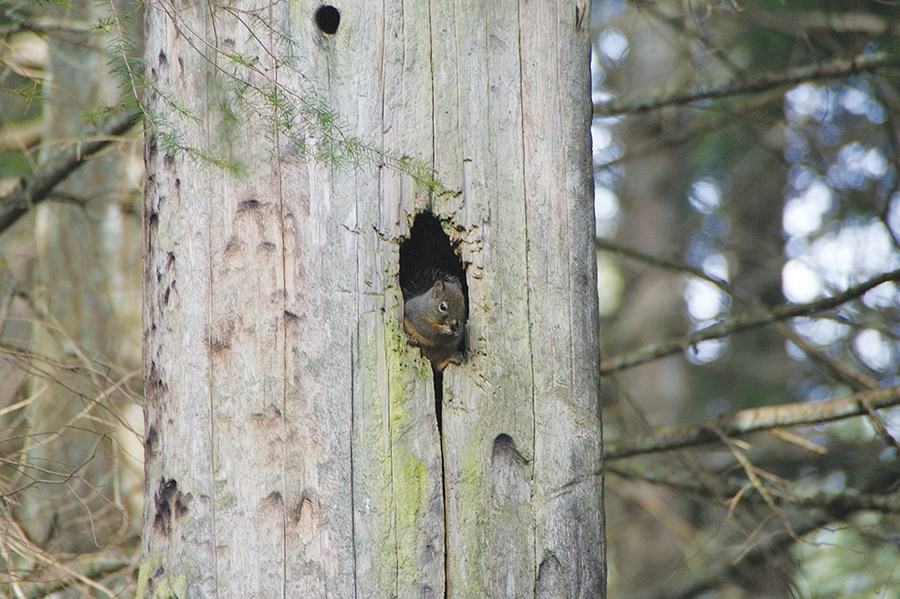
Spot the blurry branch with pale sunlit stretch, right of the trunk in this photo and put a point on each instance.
(755, 420)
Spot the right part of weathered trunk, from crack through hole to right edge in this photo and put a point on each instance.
(521, 420)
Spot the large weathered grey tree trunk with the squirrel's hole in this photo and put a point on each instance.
(291, 443)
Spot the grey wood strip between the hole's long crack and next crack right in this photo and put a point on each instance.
(478, 108)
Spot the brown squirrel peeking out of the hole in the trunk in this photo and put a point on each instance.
(434, 319)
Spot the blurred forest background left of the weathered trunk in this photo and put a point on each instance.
(71, 476)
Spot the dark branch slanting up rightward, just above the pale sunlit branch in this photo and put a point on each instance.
(743, 322)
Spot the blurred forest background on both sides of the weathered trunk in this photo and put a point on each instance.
(746, 172)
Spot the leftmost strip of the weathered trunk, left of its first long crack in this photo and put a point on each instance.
(179, 543)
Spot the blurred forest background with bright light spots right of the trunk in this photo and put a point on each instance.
(746, 157)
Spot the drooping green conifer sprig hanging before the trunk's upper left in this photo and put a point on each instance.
(246, 88)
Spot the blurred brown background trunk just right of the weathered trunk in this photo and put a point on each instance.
(654, 224)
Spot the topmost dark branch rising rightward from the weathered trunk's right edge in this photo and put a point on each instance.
(810, 72)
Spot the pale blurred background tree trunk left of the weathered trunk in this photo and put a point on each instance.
(87, 327)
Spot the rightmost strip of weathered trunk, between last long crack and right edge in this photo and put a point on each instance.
(562, 300)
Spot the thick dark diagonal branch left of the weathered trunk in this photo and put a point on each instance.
(60, 164)
